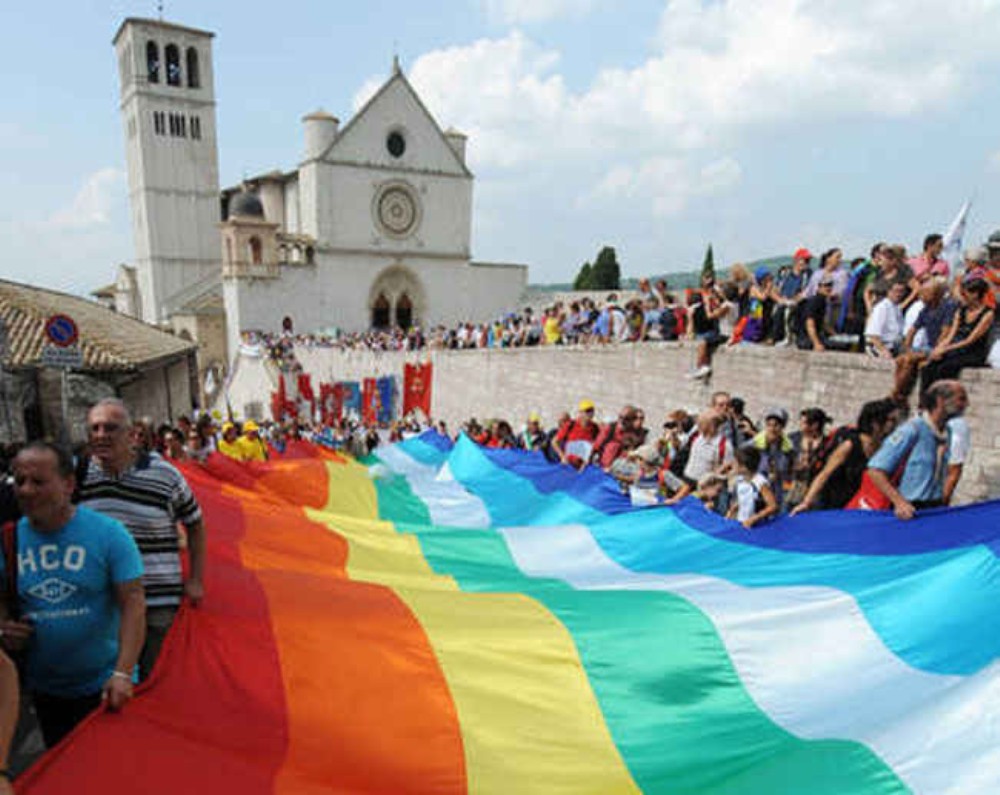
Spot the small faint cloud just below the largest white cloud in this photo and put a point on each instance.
(669, 184)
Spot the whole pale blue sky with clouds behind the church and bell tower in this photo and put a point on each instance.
(655, 127)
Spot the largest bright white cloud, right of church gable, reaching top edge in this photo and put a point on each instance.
(715, 68)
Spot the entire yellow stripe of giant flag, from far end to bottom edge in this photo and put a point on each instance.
(530, 720)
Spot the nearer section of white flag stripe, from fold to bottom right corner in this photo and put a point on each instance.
(811, 661)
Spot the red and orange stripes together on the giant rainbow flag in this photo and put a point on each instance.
(290, 678)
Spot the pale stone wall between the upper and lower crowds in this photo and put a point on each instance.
(510, 383)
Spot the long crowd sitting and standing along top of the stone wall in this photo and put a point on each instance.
(913, 309)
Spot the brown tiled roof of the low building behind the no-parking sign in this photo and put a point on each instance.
(109, 341)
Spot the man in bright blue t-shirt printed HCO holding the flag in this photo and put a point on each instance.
(81, 611)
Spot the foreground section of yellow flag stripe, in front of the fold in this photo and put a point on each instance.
(530, 721)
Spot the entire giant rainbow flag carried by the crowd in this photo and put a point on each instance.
(449, 619)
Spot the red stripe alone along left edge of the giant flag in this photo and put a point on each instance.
(213, 718)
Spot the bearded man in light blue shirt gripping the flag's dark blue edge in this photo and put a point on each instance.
(921, 449)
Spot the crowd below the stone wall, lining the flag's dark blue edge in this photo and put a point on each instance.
(754, 471)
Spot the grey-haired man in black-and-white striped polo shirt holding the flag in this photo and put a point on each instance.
(149, 496)
